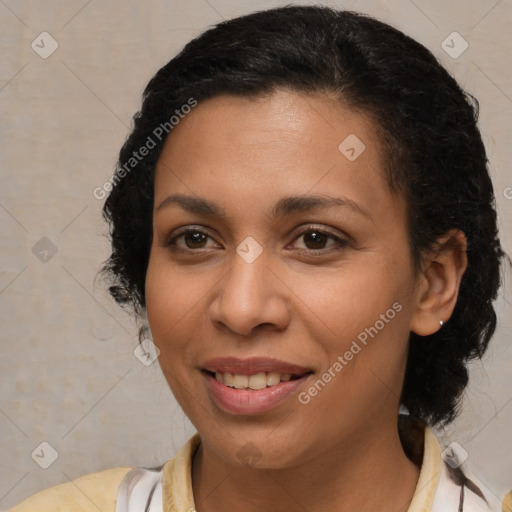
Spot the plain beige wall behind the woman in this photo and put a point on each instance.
(68, 374)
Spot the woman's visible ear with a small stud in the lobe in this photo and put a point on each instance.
(439, 282)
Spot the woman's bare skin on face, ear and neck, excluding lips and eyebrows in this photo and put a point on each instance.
(203, 300)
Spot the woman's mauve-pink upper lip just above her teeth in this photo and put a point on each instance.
(252, 366)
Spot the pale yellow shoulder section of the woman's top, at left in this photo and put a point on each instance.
(92, 492)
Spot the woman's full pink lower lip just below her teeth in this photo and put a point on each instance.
(241, 401)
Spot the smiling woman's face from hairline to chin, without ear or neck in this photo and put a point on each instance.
(298, 255)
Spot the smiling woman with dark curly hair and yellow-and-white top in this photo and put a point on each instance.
(304, 213)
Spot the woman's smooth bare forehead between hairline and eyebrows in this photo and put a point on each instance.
(255, 150)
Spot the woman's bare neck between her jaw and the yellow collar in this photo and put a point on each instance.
(358, 475)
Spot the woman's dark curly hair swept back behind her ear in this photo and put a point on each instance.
(434, 153)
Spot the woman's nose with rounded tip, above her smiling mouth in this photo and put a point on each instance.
(250, 297)
